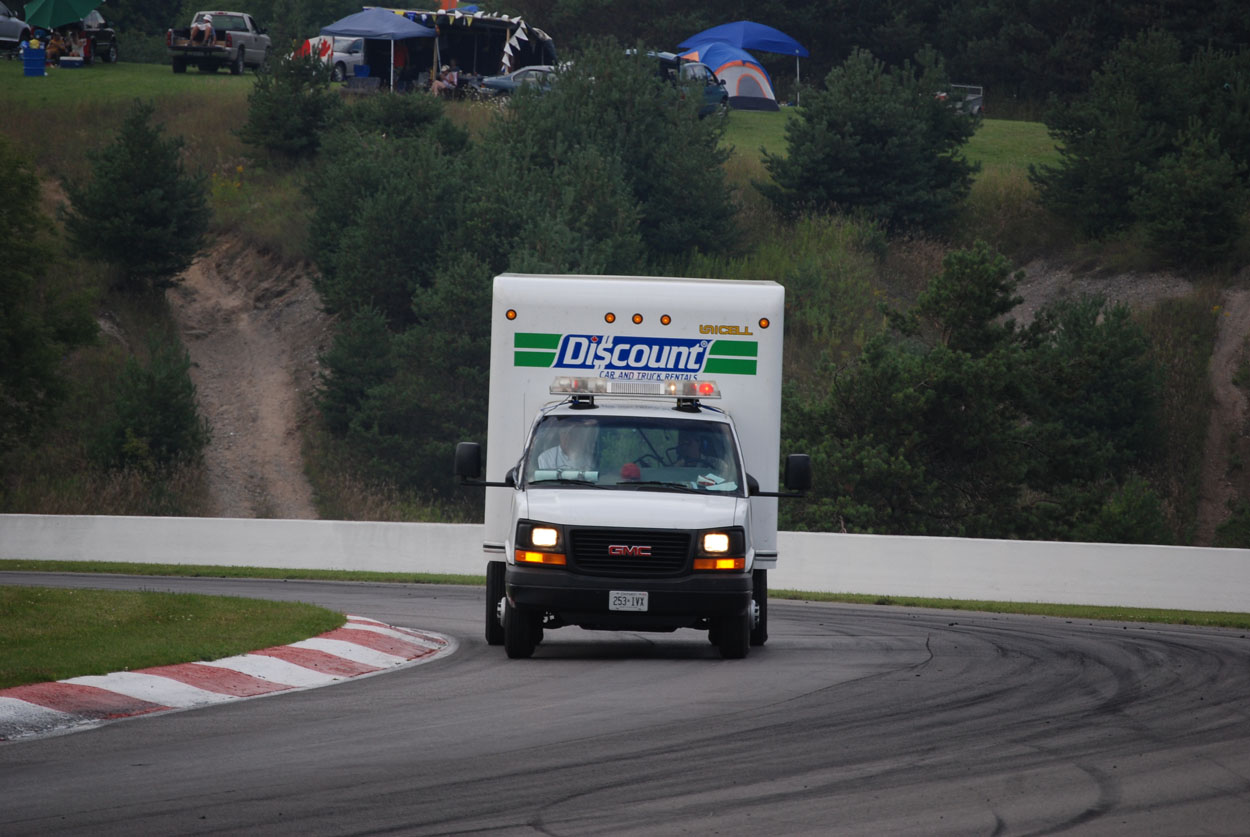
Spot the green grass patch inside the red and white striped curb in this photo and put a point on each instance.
(51, 634)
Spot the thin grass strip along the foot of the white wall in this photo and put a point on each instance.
(1206, 619)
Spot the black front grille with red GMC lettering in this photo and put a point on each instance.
(639, 553)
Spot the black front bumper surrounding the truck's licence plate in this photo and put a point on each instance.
(686, 602)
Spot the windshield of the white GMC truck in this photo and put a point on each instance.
(634, 454)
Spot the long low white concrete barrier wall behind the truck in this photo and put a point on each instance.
(1024, 572)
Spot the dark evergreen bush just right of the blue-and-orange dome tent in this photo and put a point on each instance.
(876, 142)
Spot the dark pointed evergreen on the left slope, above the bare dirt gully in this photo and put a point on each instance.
(141, 213)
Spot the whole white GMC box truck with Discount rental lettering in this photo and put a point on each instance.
(633, 439)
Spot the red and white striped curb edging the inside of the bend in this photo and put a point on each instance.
(361, 648)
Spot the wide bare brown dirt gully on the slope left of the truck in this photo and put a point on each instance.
(254, 330)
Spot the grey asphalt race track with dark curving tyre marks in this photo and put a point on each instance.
(853, 720)
